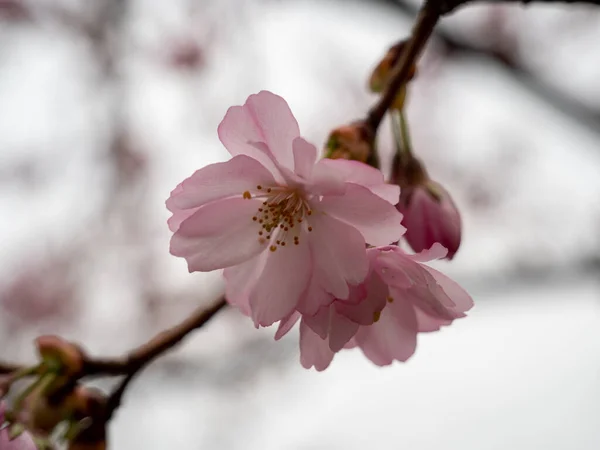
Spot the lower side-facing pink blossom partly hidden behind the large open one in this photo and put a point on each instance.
(400, 298)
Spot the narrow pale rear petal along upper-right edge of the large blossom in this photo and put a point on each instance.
(364, 175)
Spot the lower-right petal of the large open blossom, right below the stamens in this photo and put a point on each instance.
(338, 254)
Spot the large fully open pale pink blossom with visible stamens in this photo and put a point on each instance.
(289, 230)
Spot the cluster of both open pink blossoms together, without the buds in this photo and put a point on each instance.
(309, 240)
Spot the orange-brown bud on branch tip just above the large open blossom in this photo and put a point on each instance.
(353, 141)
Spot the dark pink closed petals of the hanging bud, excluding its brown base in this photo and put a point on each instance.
(430, 216)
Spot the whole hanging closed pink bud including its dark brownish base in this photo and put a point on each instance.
(429, 213)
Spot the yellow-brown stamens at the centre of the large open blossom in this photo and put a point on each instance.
(281, 216)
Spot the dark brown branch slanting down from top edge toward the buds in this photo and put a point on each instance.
(426, 20)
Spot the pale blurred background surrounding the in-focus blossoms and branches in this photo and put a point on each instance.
(105, 106)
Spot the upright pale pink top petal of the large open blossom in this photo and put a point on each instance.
(265, 117)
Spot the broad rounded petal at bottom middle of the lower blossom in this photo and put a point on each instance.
(393, 337)
